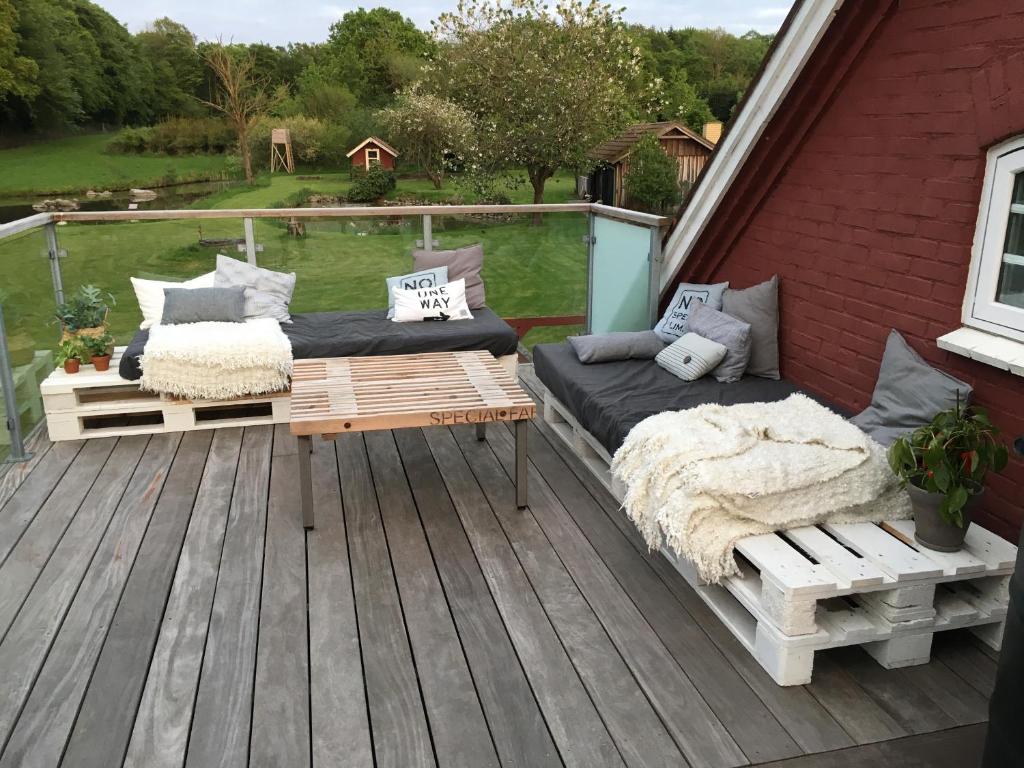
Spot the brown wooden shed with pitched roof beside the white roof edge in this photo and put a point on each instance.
(689, 148)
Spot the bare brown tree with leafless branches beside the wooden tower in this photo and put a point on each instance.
(239, 94)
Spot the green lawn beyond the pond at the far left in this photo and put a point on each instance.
(79, 163)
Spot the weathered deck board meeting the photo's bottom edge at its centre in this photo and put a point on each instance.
(517, 723)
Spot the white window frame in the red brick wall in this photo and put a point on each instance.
(982, 310)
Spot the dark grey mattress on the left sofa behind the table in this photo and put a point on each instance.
(370, 333)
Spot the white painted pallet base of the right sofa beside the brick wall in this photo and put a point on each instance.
(829, 586)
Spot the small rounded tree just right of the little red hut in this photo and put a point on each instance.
(430, 131)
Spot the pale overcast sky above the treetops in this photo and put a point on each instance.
(280, 22)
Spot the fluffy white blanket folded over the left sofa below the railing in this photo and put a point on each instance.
(218, 361)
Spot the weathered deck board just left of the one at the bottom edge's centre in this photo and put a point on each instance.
(457, 724)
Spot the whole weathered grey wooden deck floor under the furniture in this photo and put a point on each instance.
(161, 606)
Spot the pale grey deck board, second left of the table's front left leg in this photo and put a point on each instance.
(224, 705)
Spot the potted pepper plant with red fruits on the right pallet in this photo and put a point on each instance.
(944, 466)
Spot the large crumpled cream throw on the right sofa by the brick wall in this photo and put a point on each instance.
(702, 480)
